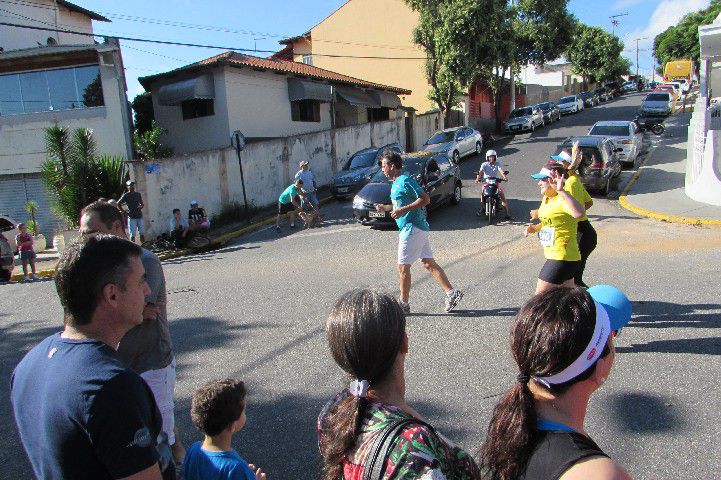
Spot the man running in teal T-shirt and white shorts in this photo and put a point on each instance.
(407, 208)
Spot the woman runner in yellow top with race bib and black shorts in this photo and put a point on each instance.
(559, 213)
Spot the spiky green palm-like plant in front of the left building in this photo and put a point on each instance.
(75, 175)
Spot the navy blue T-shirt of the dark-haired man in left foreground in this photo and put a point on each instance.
(81, 413)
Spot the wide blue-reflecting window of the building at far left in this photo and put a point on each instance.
(51, 90)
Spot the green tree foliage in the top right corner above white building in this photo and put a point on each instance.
(681, 41)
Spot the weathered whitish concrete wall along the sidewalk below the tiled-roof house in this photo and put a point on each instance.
(213, 177)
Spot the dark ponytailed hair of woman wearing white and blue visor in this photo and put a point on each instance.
(550, 332)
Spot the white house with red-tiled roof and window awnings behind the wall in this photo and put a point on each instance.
(200, 105)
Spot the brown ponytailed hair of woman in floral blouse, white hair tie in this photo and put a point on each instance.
(365, 331)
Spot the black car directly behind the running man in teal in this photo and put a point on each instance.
(440, 179)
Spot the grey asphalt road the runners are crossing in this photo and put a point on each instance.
(255, 310)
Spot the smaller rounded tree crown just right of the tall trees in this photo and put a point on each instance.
(596, 54)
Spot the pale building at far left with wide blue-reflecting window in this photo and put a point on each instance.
(51, 77)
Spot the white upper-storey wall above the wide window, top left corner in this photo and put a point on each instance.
(43, 14)
